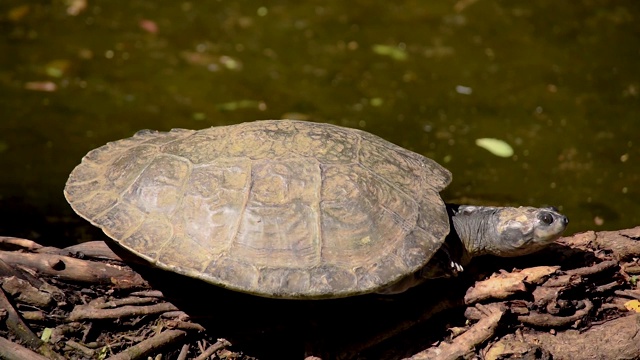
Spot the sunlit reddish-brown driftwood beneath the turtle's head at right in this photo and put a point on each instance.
(614, 338)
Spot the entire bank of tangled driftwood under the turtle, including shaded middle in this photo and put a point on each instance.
(577, 299)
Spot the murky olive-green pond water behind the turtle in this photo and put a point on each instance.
(558, 81)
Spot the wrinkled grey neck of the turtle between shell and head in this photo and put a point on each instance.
(470, 228)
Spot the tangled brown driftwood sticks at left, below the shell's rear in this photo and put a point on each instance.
(17, 271)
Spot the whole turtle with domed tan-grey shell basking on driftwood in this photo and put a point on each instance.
(293, 209)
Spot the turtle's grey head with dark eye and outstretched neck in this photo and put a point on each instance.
(507, 231)
